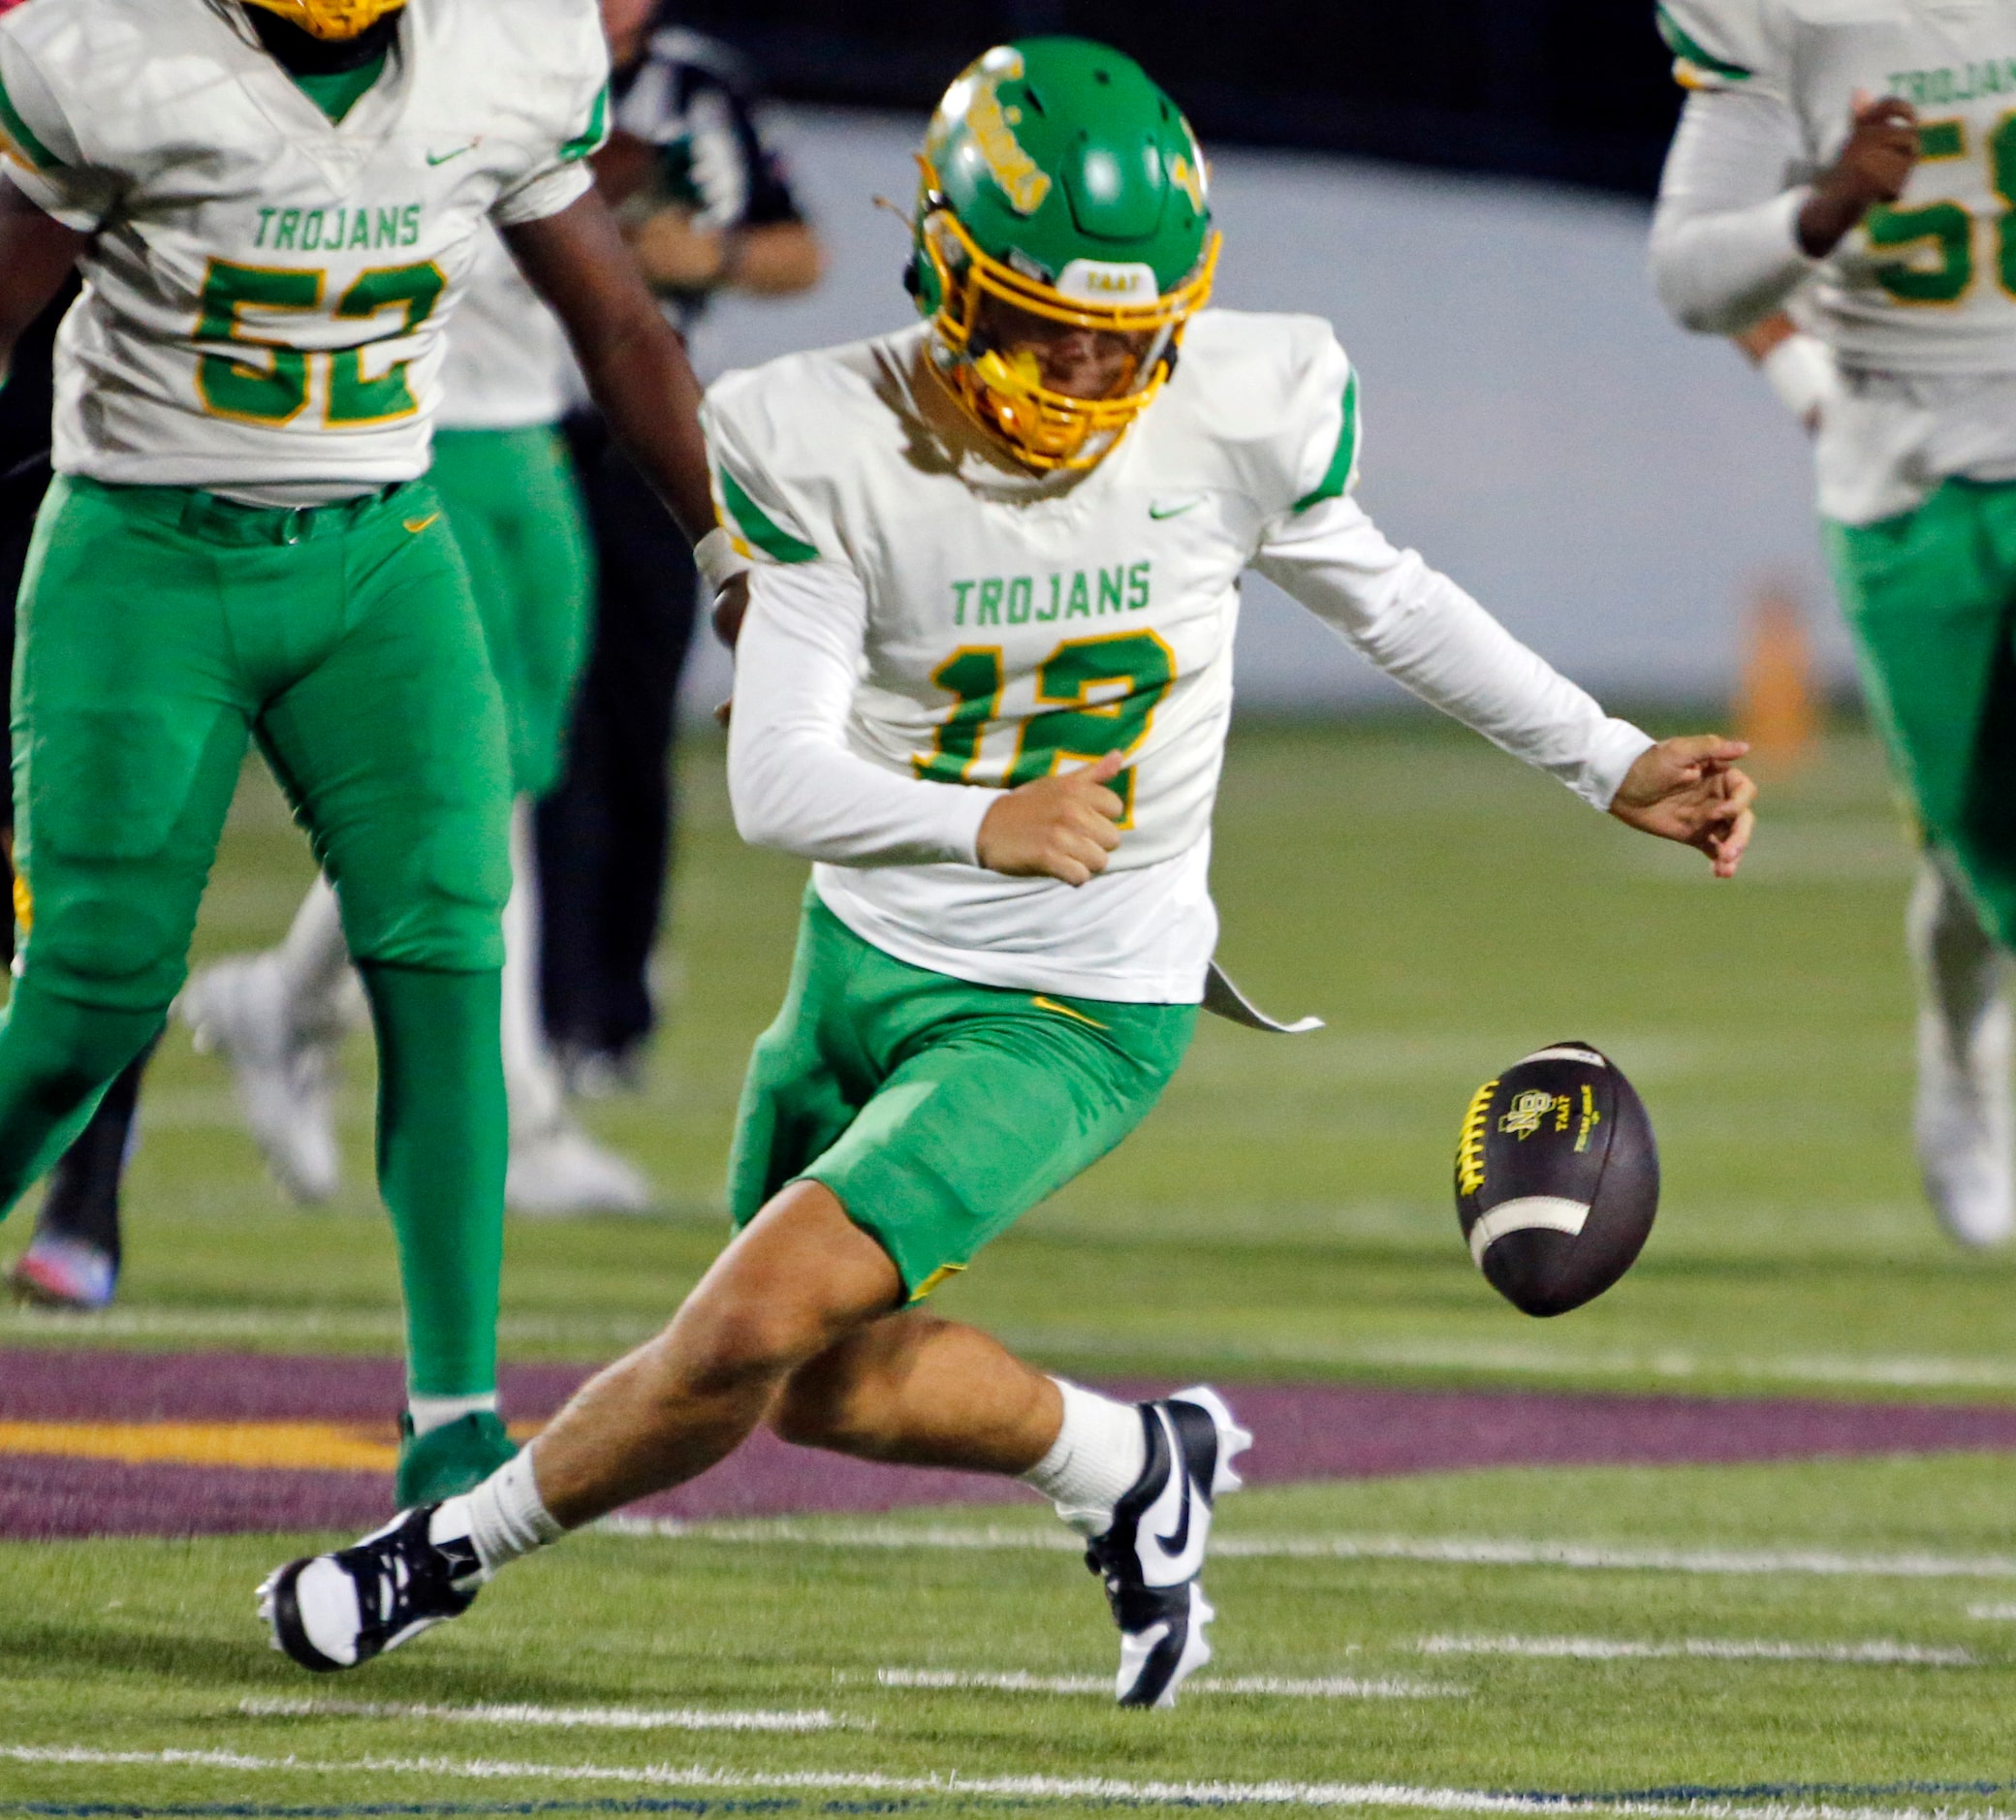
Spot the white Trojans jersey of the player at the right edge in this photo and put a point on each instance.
(1926, 287)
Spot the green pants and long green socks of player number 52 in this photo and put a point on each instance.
(160, 630)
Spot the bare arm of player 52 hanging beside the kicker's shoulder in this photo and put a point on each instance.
(634, 362)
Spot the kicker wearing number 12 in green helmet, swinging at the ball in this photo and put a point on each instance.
(985, 684)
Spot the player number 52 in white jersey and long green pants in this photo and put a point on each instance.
(275, 207)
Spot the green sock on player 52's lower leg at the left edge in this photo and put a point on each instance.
(57, 1059)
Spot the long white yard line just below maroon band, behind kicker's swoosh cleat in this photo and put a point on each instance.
(1451, 1551)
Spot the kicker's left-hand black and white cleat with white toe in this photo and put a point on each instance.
(340, 1611)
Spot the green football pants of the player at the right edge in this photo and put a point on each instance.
(1932, 602)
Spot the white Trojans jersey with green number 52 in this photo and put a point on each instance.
(267, 291)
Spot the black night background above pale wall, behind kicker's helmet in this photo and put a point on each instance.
(1565, 90)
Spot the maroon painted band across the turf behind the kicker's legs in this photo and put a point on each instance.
(1301, 1432)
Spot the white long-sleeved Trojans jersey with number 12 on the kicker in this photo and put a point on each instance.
(999, 628)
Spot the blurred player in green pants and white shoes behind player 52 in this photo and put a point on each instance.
(509, 487)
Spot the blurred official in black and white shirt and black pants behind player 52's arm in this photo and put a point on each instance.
(707, 209)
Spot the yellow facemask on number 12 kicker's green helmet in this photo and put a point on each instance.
(1005, 392)
